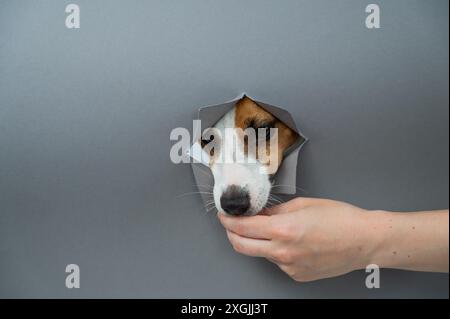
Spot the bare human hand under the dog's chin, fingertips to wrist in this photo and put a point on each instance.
(307, 238)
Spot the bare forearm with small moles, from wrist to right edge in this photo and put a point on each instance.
(414, 241)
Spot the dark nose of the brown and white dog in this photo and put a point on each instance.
(235, 200)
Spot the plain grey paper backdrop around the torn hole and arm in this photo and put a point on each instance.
(85, 117)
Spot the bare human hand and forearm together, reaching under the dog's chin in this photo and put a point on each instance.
(312, 238)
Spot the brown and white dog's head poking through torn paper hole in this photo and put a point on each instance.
(243, 187)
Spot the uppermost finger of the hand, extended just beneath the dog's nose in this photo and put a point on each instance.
(256, 227)
